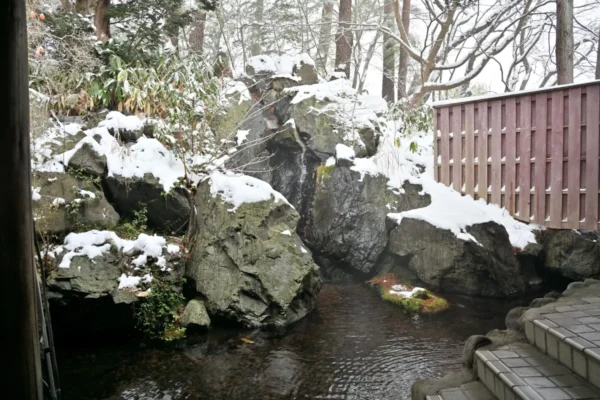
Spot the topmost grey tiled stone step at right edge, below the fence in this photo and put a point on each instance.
(571, 335)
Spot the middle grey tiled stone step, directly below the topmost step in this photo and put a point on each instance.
(520, 371)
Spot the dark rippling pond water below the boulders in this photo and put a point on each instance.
(352, 346)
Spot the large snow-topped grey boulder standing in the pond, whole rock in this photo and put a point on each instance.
(247, 261)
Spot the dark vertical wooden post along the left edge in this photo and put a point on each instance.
(22, 373)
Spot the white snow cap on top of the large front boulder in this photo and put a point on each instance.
(237, 189)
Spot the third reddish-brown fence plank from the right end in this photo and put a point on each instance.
(556, 143)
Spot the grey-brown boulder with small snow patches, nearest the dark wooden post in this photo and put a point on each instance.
(64, 203)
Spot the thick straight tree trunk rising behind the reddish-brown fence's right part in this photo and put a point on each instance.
(564, 41)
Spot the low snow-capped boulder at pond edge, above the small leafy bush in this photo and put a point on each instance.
(97, 264)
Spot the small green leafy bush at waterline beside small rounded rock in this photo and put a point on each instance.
(158, 314)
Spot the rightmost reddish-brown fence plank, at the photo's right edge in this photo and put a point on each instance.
(592, 155)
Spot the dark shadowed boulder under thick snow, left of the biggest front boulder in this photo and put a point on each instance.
(165, 211)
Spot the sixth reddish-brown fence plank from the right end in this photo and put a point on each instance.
(511, 150)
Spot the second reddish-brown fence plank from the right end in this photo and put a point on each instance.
(574, 156)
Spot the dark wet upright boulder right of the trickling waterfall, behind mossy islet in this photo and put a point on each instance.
(347, 221)
